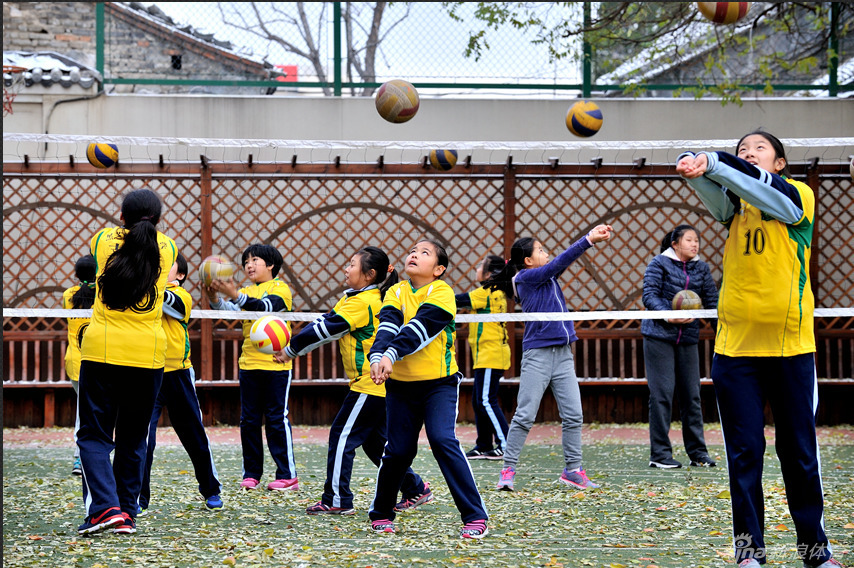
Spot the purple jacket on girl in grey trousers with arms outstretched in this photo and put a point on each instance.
(538, 290)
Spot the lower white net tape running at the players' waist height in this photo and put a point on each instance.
(462, 318)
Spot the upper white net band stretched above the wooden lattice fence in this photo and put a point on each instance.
(16, 145)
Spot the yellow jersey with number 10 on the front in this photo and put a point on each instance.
(755, 319)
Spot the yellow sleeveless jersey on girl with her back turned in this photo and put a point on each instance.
(132, 337)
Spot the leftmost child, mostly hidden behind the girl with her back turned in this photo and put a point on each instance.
(79, 297)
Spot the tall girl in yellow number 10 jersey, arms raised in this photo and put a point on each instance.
(765, 344)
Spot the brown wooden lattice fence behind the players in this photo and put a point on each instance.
(317, 214)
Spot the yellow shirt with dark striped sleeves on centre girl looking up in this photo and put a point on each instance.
(423, 356)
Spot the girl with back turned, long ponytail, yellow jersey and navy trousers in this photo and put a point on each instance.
(122, 360)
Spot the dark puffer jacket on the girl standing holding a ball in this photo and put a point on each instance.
(664, 277)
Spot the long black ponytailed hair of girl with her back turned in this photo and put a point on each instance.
(130, 275)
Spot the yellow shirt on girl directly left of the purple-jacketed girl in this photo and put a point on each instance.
(490, 348)
